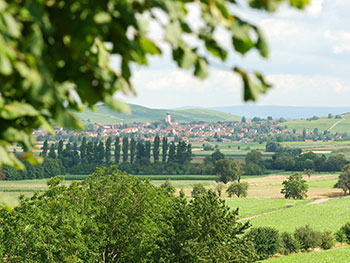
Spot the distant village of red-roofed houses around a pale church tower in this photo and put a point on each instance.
(246, 130)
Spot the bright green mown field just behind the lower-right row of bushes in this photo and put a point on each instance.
(330, 215)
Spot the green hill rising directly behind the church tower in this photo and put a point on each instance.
(104, 115)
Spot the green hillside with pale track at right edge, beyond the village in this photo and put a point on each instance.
(333, 125)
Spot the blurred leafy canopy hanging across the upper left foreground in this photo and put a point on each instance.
(55, 55)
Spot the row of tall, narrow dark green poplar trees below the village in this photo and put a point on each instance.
(122, 150)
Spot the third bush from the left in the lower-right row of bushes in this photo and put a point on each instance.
(307, 237)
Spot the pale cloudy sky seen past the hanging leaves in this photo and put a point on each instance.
(309, 63)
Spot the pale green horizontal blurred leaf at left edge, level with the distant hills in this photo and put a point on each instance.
(15, 110)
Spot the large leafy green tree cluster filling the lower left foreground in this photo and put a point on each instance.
(115, 217)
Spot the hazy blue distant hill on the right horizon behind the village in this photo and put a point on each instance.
(287, 112)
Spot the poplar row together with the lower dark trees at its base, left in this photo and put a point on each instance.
(132, 156)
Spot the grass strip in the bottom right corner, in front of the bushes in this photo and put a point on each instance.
(336, 255)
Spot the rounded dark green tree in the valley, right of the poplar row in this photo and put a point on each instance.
(228, 170)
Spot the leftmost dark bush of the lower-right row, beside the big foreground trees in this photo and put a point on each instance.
(266, 241)
